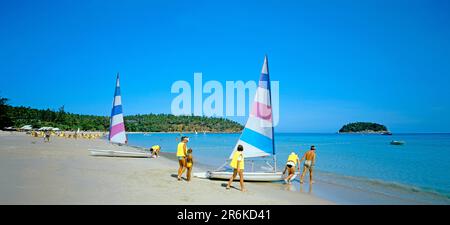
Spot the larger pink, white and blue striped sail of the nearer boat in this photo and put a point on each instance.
(257, 138)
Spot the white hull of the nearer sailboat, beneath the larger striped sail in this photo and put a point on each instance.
(248, 176)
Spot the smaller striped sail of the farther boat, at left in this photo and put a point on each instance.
(117, 127)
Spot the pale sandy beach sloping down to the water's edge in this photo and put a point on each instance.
(63, 172)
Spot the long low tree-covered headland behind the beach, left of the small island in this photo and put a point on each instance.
(12, 116)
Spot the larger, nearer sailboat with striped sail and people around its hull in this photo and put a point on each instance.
(257, 138)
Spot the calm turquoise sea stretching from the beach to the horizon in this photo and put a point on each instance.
(417, 172)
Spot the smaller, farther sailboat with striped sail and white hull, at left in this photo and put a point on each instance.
(117, 133)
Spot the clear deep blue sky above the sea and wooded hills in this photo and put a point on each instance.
(336, 61)
